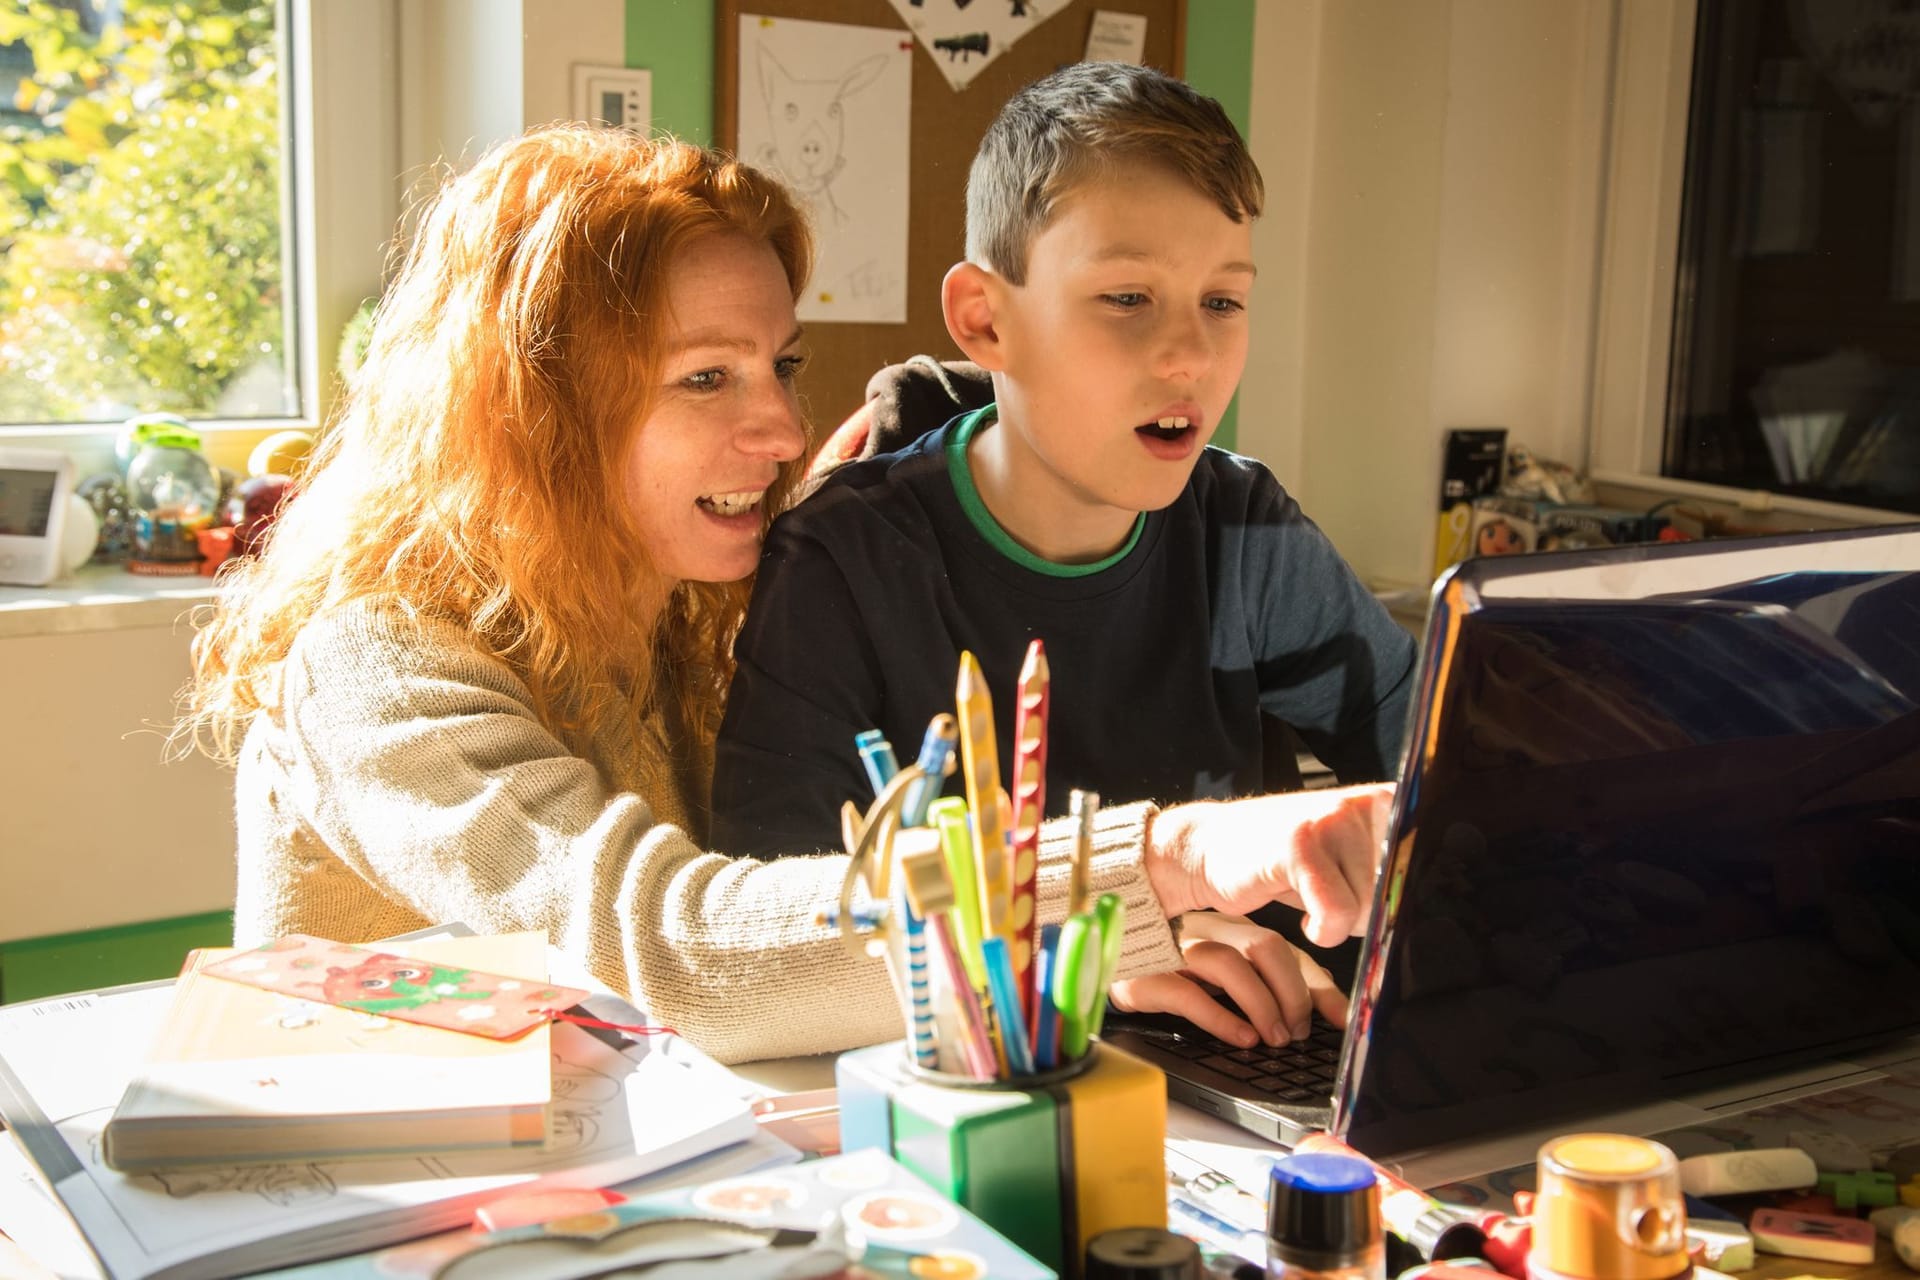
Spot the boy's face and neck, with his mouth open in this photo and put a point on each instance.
(1134, 316)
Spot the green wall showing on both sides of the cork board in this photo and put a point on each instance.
(675, 39)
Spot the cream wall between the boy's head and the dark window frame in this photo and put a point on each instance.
(1428, 262)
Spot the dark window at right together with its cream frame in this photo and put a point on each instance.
(1758, 318)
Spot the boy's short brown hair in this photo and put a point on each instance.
(1082, 122)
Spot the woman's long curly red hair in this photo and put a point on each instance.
(477, 471)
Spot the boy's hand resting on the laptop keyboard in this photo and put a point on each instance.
(1274, 985)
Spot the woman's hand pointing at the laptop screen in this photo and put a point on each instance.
(1310, 849)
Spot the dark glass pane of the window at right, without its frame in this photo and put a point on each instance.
(1796, 350)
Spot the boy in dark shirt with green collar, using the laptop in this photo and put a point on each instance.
(1195, 621)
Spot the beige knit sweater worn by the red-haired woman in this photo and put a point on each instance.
(404, 782)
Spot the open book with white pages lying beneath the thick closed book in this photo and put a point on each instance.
(617, 1114)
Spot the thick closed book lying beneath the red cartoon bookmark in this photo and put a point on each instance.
(241, 1074)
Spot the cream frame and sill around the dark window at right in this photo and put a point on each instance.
(1637, 295)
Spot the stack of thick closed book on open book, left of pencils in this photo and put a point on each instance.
(208, 1129)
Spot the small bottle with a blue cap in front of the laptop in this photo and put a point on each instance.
(1324, 1220)
